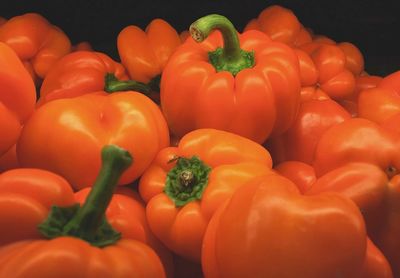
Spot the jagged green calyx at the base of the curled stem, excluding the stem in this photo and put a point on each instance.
(220, 63)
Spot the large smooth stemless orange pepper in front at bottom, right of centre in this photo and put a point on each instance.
(268, 229)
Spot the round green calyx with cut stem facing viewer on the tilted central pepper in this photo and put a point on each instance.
(187, 180)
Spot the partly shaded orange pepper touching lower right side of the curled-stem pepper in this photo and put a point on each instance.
(300, 140)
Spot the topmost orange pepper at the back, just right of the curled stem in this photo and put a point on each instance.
(281, 25)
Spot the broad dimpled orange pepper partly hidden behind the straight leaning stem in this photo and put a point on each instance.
(62, 132)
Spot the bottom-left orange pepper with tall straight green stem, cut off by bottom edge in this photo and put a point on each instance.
(81, 243)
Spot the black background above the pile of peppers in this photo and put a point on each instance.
(374, 26)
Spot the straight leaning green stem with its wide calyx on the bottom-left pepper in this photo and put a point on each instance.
(88, 221)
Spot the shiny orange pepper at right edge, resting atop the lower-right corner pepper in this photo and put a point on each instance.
(357, 140)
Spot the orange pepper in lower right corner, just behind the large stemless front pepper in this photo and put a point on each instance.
(377, 198)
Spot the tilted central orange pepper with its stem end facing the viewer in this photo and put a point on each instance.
(211, 165)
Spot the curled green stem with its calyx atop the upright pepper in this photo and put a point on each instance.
(229, 58)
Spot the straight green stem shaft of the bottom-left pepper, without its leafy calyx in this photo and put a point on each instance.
(90, 215)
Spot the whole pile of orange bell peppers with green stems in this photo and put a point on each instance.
(217, 153)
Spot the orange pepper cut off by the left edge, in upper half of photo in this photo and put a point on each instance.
(17, 97)
